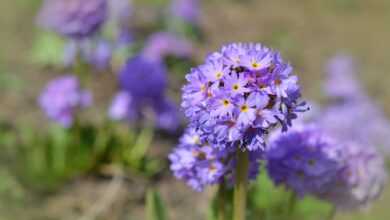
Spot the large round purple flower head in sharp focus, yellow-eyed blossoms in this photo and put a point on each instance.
(239, 94)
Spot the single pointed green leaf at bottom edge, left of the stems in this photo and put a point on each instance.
(155, 209)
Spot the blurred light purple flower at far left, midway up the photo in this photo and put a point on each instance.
(61, 99)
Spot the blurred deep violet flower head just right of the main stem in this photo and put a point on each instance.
(304, 159)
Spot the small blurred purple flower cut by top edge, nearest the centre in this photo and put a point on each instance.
(186, 10)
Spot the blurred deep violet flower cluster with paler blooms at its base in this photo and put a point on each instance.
(143, 83)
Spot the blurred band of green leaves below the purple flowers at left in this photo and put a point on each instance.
(45, 160)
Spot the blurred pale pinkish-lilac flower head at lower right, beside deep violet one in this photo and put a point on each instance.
(360, 181)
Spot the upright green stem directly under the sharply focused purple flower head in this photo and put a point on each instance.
(240, 188)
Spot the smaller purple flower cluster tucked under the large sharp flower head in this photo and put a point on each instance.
(200, 165)
